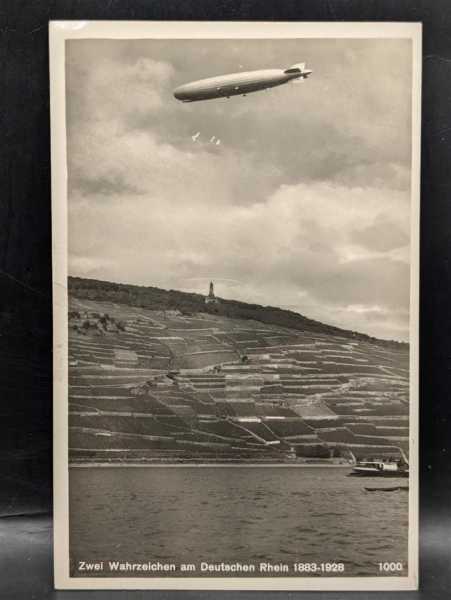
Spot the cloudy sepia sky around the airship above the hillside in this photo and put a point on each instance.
(303, 203)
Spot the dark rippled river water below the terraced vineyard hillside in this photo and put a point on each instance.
(236, 514)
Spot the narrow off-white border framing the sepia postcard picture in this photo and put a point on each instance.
(59, 32)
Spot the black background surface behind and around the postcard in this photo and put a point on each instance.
(25, 273)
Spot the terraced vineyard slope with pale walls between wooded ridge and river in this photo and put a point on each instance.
(162, 386)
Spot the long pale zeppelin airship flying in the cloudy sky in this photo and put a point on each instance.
(237, 84)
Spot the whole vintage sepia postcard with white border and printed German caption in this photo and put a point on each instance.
(235, 261)
